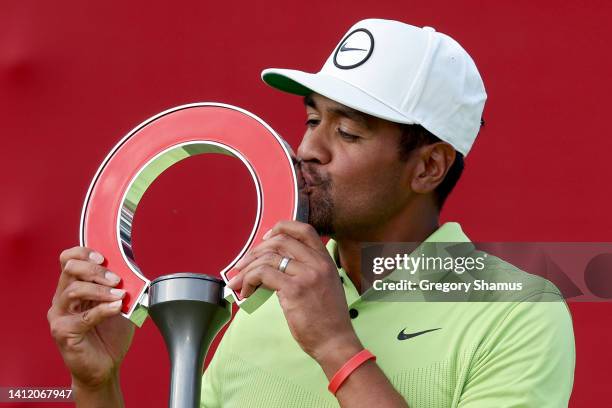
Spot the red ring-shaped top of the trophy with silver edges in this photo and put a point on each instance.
(158, 143)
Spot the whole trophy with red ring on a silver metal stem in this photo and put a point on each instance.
(189, 309)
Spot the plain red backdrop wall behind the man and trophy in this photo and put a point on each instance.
(76, 76)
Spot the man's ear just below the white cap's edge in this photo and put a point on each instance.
(432, 163)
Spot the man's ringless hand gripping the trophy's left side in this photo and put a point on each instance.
(86, 324)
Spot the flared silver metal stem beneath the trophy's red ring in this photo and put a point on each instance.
(189, 310)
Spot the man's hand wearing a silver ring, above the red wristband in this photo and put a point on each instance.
(309, 291)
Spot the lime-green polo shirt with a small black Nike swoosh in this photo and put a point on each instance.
(482, 354)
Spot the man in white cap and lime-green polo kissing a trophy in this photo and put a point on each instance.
(390, 117)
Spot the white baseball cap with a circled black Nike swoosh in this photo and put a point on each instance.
(401, 73)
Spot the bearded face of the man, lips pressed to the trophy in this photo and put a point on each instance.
(350, 161)
